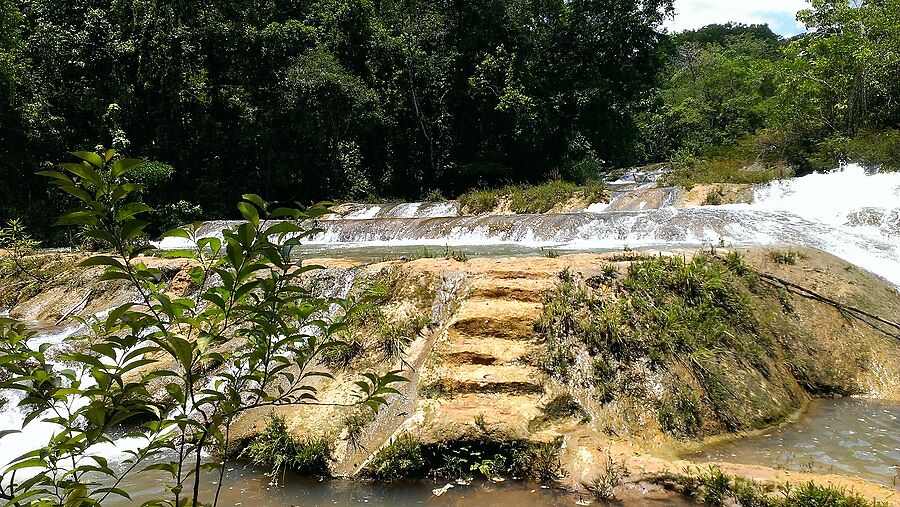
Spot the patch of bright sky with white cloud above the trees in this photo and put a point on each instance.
(779, 14)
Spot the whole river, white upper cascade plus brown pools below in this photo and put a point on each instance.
(851, 213)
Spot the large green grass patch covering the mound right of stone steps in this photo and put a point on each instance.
(697, 315)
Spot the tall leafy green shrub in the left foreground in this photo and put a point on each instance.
(251, 316)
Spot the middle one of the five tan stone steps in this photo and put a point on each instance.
(463, 348)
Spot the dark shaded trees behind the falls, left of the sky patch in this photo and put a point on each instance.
(326, 99)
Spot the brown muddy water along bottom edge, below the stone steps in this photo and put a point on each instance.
(248, 486)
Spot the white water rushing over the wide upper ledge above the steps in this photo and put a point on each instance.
(849, 212)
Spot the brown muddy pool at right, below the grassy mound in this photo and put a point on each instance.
(844, 436)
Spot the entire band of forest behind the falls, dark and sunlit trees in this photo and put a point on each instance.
(407, 99)
